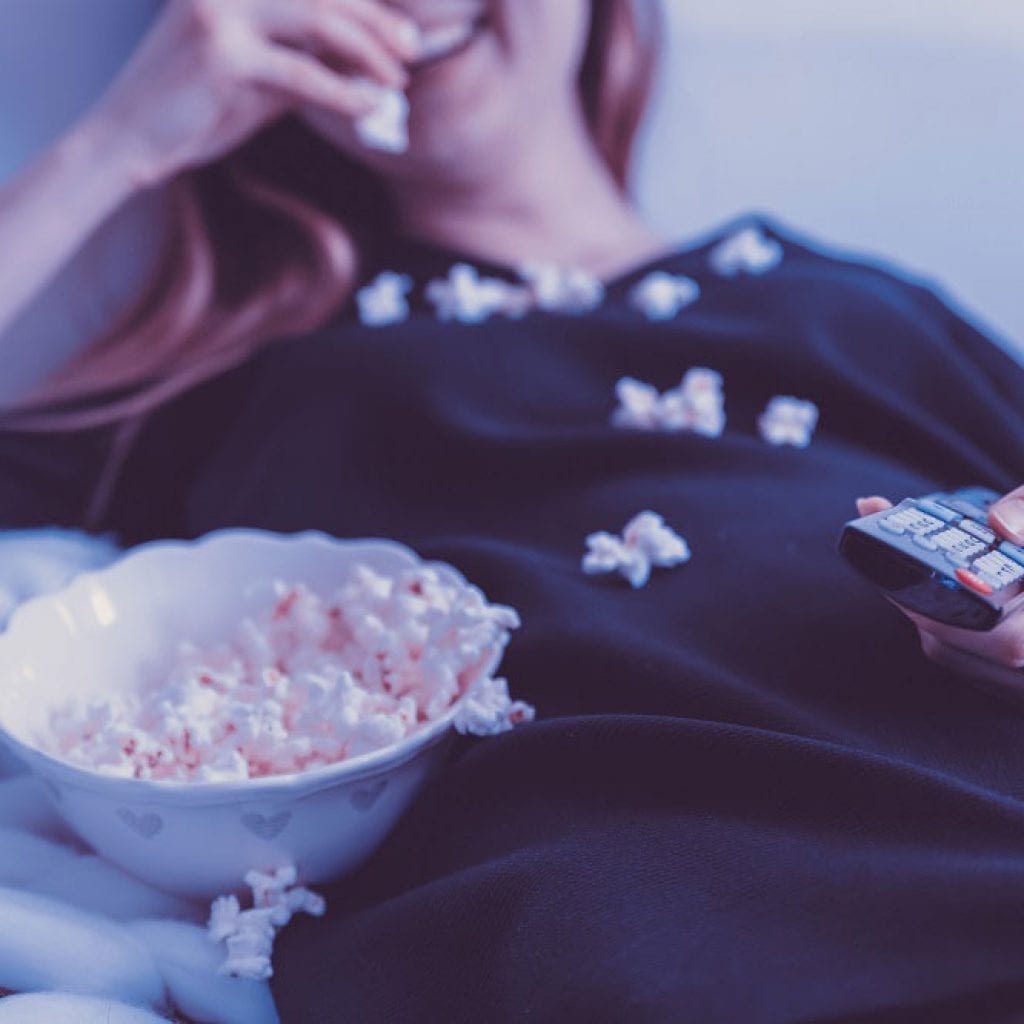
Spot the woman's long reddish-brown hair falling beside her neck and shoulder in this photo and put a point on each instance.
(267, 246)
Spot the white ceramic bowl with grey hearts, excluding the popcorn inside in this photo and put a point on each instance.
(111, 629)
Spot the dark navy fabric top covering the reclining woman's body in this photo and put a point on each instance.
(749, 798)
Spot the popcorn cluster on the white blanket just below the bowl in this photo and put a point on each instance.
(249, 934)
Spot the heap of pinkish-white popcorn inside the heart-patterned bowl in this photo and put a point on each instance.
(311, 682)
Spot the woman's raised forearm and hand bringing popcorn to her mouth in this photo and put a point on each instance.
(207, 77)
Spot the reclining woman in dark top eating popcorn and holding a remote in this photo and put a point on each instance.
(750, 796)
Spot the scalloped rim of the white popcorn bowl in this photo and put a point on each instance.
(308, 782)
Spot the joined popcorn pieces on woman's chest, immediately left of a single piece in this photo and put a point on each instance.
(697, 404)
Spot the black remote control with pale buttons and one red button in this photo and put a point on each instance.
(938, 557)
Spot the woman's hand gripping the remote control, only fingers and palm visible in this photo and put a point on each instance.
(996, 657)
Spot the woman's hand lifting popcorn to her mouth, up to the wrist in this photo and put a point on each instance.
(212, 73)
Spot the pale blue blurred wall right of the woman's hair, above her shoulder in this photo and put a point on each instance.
(889, 127)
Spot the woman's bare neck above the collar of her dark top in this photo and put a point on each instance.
(559, 204)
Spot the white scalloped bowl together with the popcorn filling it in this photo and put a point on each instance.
(97, 694)
